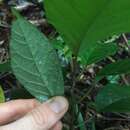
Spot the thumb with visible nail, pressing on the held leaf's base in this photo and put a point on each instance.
(43, 117)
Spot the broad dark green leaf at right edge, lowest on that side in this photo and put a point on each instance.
(113, 98)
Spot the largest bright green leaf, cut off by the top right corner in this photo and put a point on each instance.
(84, 23)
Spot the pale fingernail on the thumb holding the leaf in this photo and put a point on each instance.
(58, 104)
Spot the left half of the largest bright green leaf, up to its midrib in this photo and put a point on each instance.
(72, 18)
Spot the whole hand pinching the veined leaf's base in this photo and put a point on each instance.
(32, 115)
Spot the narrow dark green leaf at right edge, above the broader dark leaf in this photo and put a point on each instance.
(119, 67)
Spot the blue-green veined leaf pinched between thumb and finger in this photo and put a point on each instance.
(34, 61)
